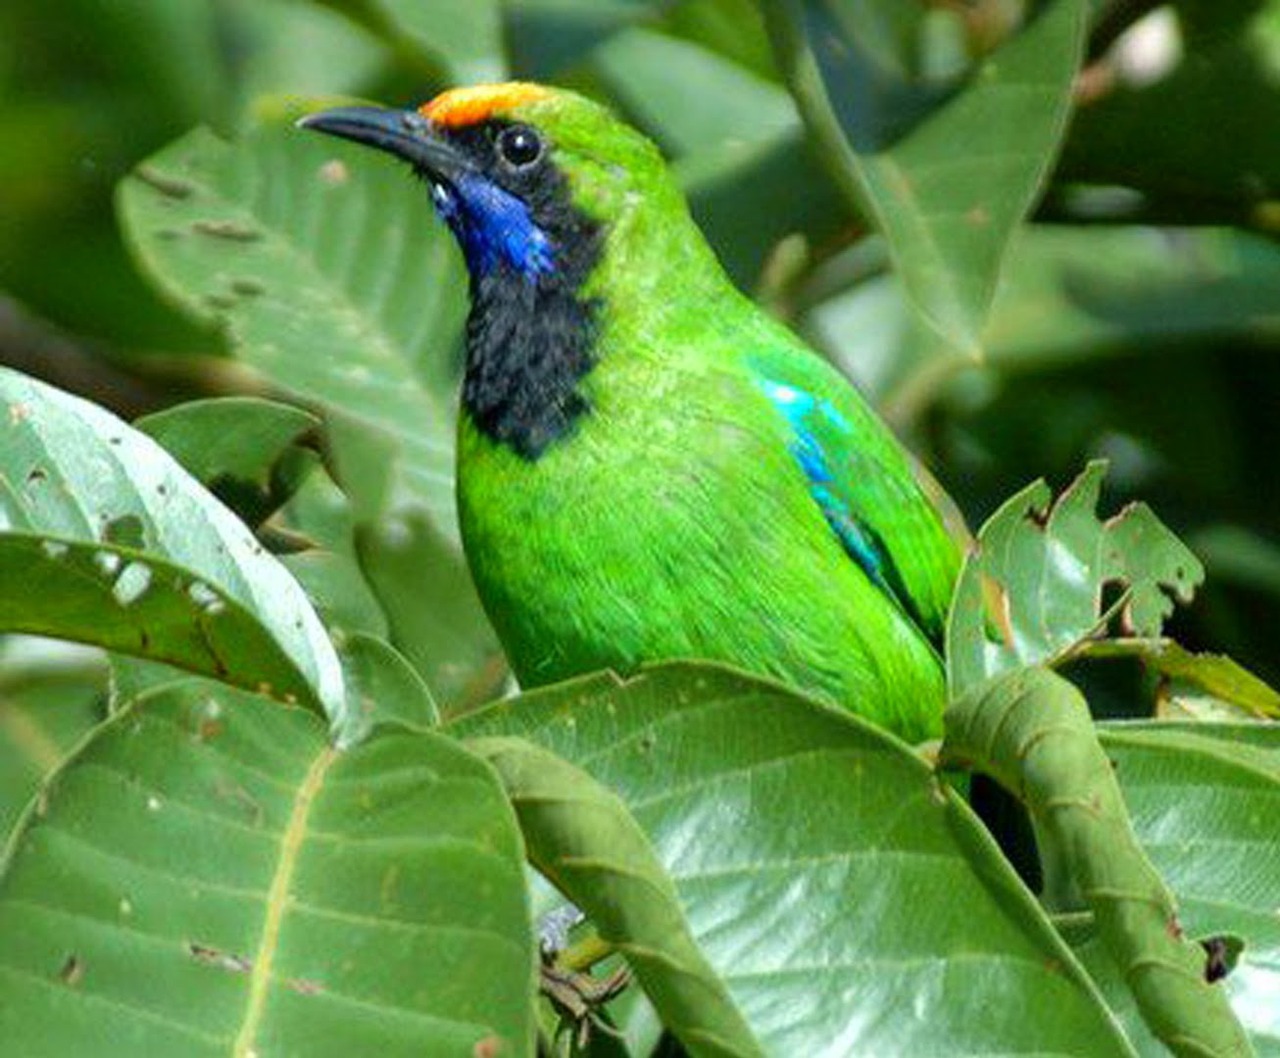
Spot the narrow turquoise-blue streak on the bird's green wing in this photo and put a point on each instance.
(803, 413)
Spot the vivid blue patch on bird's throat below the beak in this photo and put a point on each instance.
(493, 227)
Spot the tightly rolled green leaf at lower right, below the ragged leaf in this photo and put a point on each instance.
(1032, 731)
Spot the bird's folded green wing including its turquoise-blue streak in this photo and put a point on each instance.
(865, 484)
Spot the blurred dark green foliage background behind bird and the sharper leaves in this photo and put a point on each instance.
(1137, 318)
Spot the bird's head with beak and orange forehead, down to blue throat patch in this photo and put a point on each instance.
(531, 178)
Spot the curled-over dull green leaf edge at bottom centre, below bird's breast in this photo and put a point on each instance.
(582, 837)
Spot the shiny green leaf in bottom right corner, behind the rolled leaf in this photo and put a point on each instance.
(1204, 800)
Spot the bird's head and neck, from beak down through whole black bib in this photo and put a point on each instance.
(568, 219)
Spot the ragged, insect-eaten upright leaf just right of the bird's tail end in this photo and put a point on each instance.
(1049, 561)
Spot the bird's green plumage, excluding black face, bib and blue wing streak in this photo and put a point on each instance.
(676, 521)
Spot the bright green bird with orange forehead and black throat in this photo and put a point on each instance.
(648, 465)
